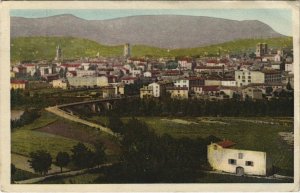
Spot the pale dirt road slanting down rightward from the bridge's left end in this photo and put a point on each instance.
(55, 110)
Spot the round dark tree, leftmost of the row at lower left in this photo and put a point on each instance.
(40, 161)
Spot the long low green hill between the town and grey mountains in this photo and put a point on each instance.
(43, 48)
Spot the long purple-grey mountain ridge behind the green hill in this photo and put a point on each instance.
(163, 31)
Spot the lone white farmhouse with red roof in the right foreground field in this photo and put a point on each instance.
(223, 158)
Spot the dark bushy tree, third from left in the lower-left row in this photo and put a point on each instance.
(82, 156)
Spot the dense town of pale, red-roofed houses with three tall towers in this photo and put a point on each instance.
(213, 78)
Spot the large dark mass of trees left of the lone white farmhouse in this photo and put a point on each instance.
(150, 158)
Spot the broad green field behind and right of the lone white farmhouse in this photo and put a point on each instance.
(260, 134)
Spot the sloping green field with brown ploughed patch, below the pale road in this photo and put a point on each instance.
(55, 134)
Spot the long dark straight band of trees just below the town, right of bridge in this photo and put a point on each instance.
(196, 107)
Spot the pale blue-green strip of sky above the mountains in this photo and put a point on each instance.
(279, 19)
